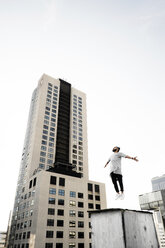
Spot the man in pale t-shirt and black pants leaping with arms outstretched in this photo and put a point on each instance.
(115, 170)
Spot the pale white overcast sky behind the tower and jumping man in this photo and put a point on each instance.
(113, 50)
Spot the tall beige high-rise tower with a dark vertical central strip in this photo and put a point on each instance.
(54, 193)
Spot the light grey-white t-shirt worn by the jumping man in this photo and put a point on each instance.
(115, 162)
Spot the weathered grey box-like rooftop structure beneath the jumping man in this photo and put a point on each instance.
(118, 228)
